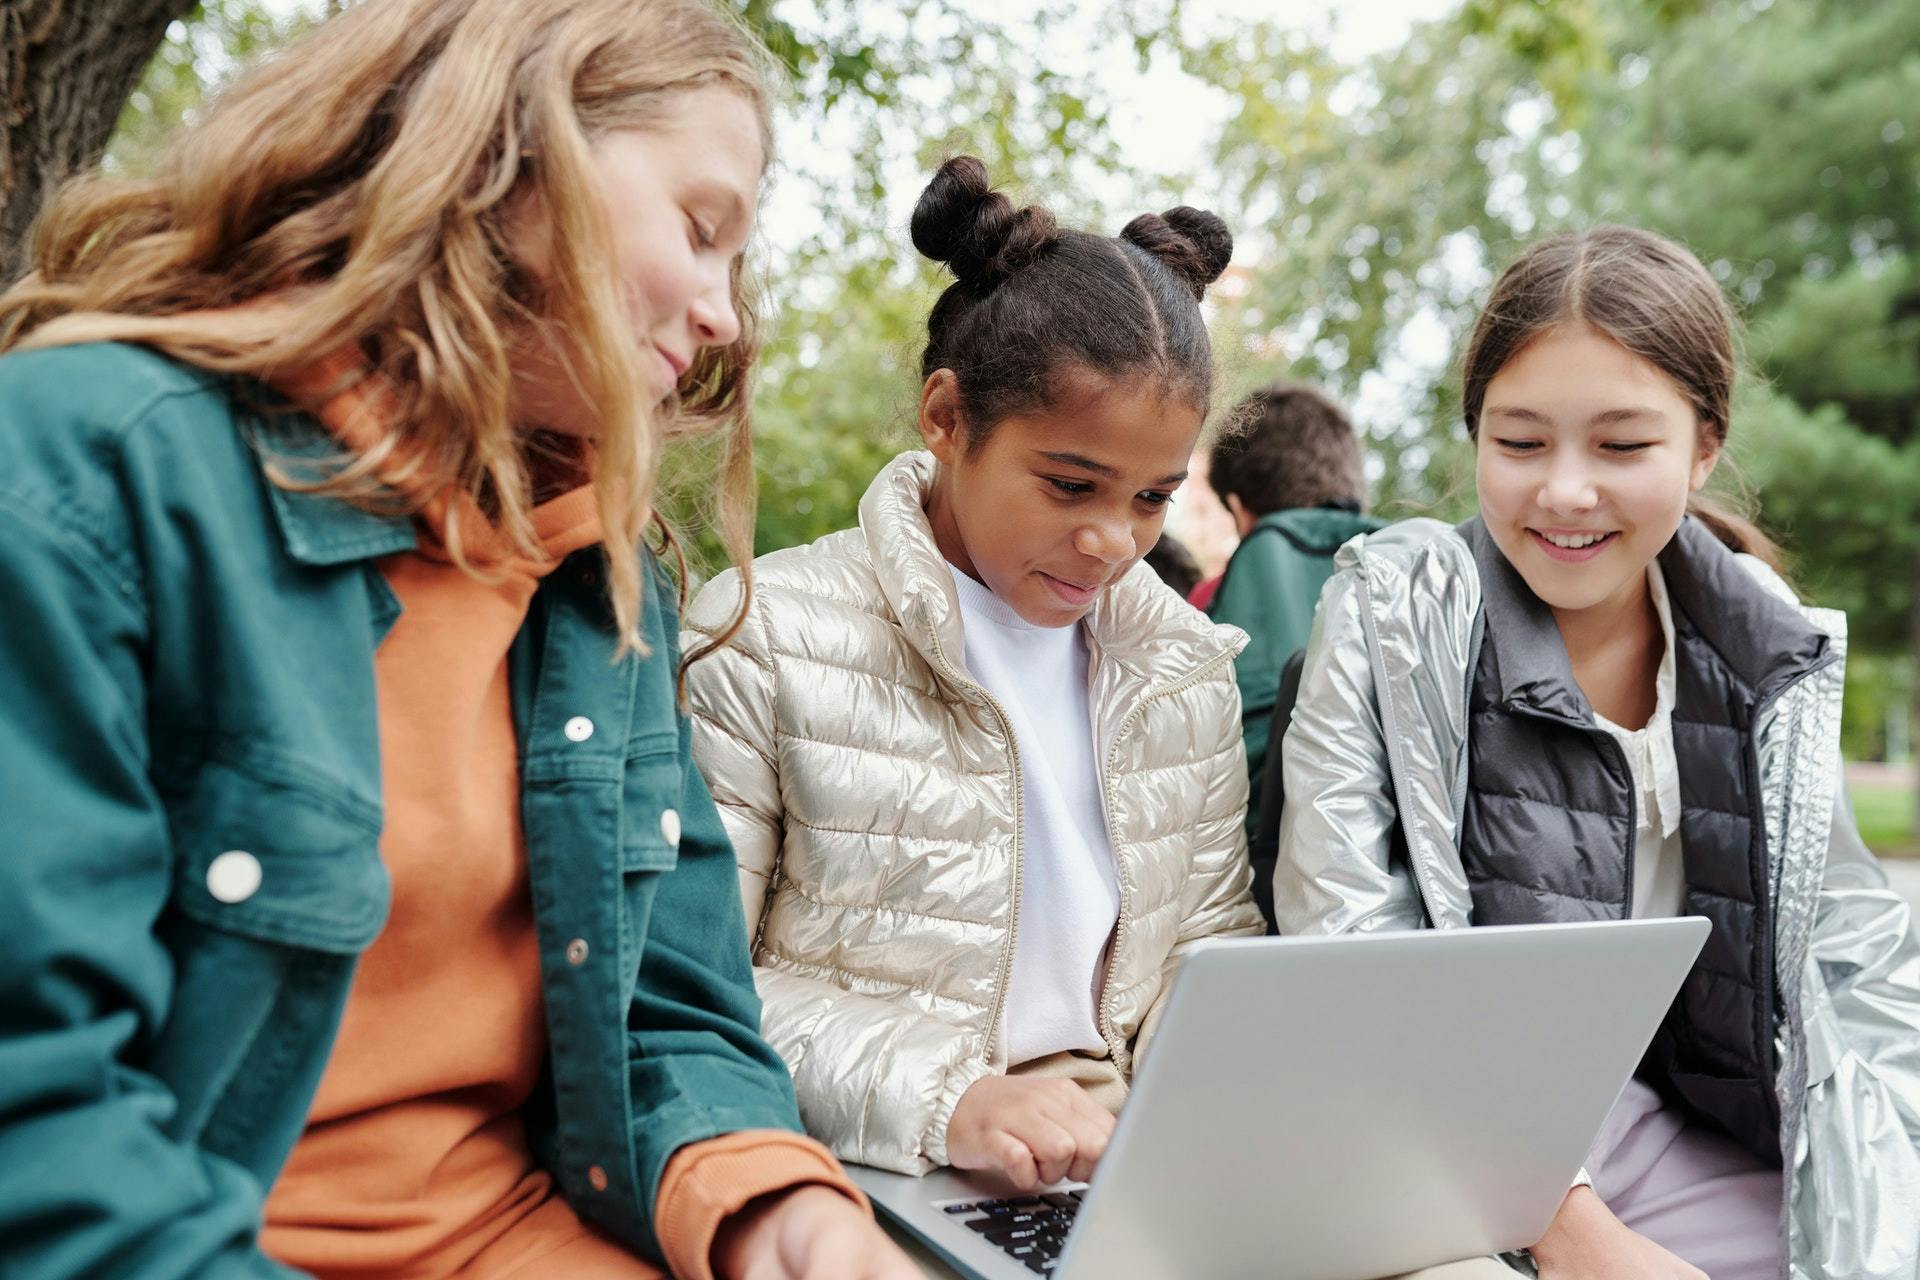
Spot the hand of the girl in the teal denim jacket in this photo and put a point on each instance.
(811, 1233)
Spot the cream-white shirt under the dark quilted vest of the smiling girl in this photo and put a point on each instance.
(1660, 870)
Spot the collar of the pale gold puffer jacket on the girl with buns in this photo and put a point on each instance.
(1138, 625)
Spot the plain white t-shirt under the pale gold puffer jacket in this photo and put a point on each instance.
(1068, 884)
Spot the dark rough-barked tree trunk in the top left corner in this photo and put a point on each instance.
(66, 70)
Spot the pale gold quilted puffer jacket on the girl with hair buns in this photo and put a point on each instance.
(873, 794)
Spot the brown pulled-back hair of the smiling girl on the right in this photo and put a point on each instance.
(1644, 293)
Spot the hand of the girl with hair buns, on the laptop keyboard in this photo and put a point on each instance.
(1034, 1131)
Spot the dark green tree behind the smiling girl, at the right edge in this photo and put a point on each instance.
(1781, 143)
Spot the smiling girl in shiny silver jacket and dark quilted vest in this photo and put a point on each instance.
(1596, 701)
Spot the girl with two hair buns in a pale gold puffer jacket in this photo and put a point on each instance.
(982, 769)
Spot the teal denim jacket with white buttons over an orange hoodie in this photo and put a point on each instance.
(187, 671)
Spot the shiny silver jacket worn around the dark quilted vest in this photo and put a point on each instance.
(1383, 719)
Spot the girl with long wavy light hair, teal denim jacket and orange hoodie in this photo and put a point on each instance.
(364, 913)
